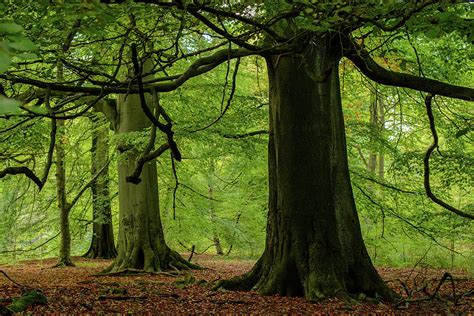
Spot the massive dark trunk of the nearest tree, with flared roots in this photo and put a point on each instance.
(314, 246)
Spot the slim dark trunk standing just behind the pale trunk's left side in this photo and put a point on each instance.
(102, 244)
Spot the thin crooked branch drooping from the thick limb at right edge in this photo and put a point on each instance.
(426, 162)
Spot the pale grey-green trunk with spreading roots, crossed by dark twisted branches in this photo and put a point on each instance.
(141, 244)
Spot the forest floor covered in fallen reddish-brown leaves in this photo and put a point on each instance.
(79, 290)
